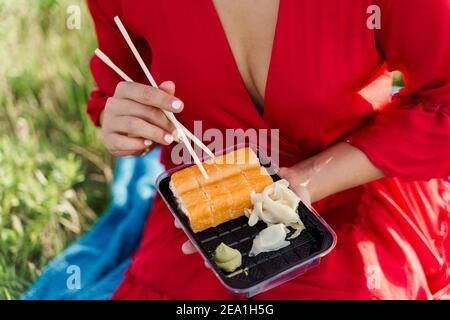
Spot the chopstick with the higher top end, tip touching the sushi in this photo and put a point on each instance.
(154, 84)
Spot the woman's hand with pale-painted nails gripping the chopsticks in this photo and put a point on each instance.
(133, 119)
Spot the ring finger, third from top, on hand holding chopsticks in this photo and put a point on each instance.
(139, 128)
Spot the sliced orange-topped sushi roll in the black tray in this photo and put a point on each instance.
(225, 195)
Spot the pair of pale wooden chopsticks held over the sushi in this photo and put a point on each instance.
(182, 131)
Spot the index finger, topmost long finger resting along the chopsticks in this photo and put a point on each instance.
(148, 96)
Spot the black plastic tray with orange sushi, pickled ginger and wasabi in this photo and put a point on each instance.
(252, 230)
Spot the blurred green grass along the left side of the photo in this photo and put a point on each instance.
(54, 172)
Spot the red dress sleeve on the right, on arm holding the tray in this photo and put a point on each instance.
(410, 138)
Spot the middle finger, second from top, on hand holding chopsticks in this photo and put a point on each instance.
(127, 107)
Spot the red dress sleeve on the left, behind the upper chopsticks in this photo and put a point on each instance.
(110, 41)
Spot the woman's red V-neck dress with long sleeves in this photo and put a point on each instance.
(328, 82)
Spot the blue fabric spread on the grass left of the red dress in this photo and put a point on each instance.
(103, 254)
